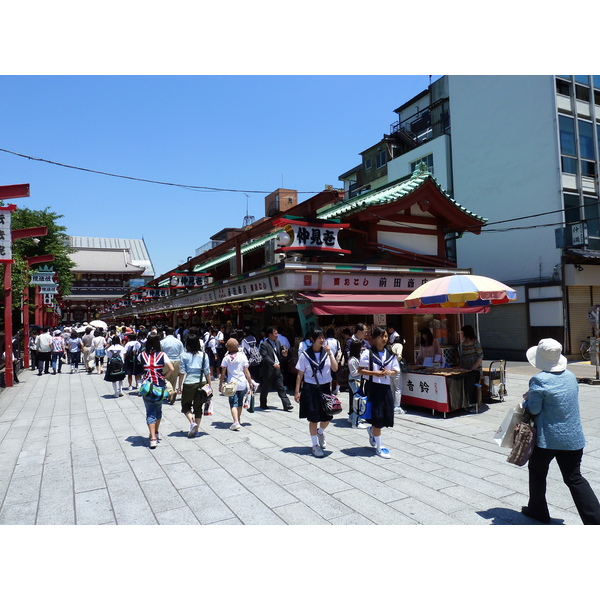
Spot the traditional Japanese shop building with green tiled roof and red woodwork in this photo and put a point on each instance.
(328, 260)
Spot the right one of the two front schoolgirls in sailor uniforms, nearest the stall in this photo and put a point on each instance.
(377, 365)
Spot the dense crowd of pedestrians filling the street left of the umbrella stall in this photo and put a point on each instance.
(162, 364)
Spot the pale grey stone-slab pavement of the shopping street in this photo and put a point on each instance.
(71, 453)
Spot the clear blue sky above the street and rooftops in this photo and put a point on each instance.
(253, 133)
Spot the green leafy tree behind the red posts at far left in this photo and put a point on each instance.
(56, 242)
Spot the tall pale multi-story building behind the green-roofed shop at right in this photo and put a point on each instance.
(524, 151)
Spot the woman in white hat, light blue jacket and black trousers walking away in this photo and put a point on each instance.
(552, 399)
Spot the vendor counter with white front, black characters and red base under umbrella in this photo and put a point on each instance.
(444, 390)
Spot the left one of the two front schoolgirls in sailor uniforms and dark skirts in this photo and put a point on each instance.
(315, 366)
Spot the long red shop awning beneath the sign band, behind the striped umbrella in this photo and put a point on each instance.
(365, 304)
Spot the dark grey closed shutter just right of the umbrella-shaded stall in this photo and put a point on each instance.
(504, 327)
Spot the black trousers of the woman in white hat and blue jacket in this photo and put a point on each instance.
(569, 463)
